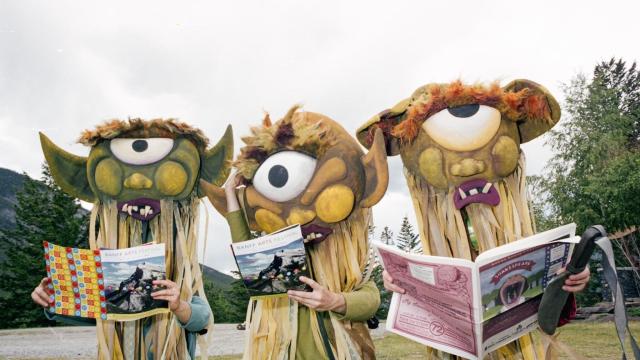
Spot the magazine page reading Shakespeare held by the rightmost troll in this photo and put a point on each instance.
(511, 286)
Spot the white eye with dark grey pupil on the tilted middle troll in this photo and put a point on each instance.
(284, 175)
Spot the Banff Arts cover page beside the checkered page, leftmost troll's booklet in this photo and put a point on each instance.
(128, 281)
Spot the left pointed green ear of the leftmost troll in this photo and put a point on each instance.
(69, 171)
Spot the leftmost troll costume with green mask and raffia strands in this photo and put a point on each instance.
(142, 178)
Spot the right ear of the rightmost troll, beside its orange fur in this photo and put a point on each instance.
(530, 128)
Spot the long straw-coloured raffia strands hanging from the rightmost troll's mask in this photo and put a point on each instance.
(443, 233)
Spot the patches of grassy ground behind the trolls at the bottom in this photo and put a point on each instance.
(590, 340)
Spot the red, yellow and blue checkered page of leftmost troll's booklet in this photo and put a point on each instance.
(77, 283)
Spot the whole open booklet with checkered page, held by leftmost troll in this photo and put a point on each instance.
(106, 284)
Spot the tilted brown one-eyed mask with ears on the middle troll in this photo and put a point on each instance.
(306, 169)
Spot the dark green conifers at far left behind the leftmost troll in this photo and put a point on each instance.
(43, 213)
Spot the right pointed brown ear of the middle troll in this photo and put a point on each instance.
(376, 170)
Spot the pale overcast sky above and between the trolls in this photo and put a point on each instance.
(69, 65)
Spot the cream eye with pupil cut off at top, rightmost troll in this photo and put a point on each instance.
(463, 128)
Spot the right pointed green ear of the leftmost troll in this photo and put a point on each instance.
(216, 162)
